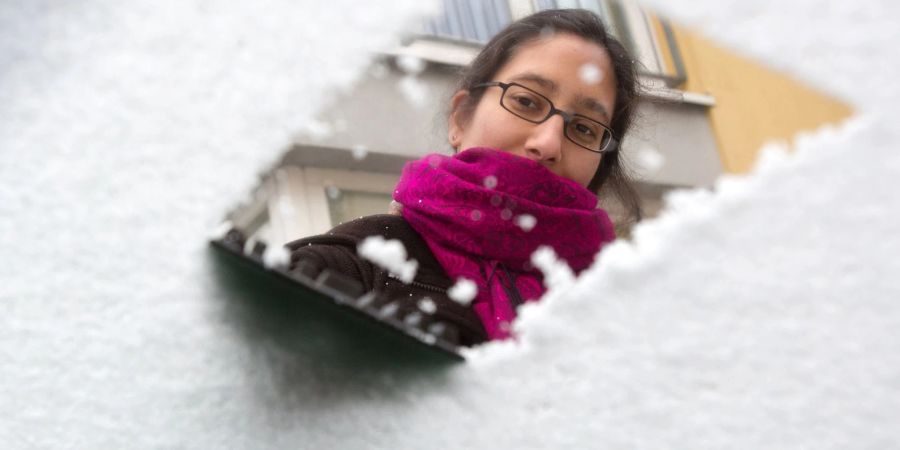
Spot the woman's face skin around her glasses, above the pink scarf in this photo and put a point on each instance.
(555, 67)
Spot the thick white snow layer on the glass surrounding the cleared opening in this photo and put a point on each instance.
(760, 314)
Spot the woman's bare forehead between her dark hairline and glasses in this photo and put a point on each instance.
(560, 60)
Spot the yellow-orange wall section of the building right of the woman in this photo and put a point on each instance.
(753, 103)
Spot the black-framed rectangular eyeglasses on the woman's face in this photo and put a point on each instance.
(535, 108)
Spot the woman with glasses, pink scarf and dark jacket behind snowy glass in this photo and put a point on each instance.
(535, 125)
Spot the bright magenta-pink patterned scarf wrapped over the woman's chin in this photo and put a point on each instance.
(473, 211)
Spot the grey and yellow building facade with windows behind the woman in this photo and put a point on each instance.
(703, 111)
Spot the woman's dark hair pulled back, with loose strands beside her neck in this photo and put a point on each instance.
(588, 26)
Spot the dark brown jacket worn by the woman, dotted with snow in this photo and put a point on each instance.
(336, 251)
